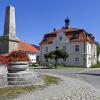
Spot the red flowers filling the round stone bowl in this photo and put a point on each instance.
(16, 56)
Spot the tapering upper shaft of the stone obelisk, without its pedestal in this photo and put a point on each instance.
(10, 24)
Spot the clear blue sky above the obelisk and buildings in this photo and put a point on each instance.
(34, 18)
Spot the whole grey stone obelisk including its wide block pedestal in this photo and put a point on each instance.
(9, 41)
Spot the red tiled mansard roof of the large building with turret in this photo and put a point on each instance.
(83, 36)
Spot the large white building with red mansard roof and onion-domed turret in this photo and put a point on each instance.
(79, 45)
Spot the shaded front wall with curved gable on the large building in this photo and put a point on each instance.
(70, 49)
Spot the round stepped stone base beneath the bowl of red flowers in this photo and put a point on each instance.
(23, 77)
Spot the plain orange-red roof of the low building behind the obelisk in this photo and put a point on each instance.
(27, 47)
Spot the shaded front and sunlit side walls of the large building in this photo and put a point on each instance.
(83, 57)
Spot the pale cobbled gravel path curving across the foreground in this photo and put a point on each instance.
(68, 89)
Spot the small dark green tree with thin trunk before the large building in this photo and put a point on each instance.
(57, 54)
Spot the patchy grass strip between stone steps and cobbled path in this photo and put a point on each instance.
(13, 90)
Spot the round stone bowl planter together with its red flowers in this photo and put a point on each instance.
(19, 61)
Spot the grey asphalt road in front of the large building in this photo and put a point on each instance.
(90, 76)
